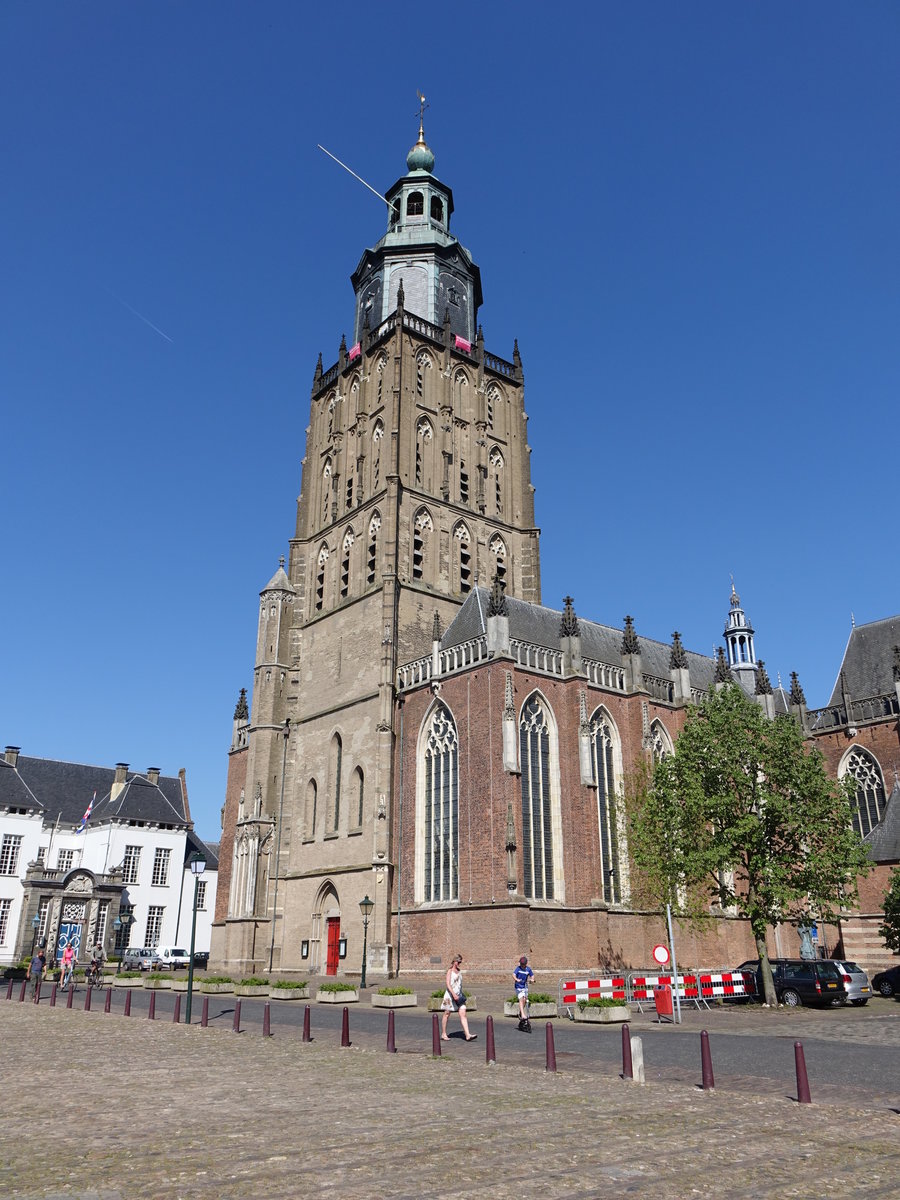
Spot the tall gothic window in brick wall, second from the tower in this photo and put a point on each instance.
(538, 849)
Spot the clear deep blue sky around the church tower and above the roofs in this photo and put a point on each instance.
(687, 215)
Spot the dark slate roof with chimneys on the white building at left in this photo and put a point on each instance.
(64, 790)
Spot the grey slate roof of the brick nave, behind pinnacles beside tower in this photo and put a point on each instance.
(541, 627)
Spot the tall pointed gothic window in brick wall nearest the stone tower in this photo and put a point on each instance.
(441, 794)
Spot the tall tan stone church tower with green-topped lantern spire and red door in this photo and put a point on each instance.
(416, 487)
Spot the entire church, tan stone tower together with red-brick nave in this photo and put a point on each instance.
(453, 754)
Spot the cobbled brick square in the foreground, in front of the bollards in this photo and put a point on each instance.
(101, 1108)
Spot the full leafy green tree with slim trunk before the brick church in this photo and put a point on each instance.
(743, 814)
